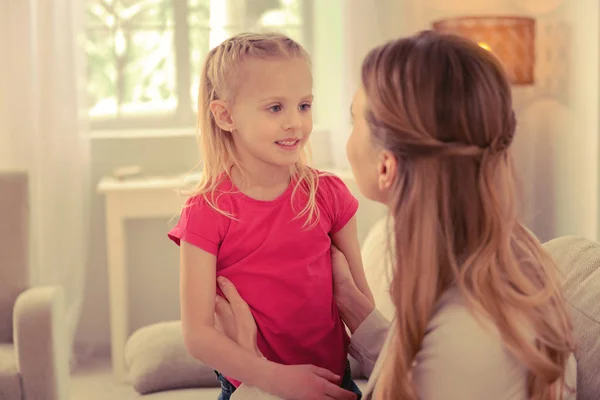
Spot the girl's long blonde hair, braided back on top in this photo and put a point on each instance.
(219, 81)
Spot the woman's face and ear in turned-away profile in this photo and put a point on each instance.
(373, 168)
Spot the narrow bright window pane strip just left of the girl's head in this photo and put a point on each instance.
(199, 25)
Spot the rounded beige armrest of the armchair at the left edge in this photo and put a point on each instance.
(40, 340)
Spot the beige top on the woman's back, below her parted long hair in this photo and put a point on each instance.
(463, 356)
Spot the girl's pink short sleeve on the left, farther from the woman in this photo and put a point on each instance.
(200, 225)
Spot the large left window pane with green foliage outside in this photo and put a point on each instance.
(131, 66)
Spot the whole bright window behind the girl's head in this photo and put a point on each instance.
(144, 57)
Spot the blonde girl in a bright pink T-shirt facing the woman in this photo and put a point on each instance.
(260, 217)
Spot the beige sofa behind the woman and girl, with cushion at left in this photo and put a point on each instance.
(159, 363)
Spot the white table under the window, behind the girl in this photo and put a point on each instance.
(151, 197)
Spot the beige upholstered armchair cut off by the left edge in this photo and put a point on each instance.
(33, 350)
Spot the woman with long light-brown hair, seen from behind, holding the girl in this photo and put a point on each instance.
(479, 312)
